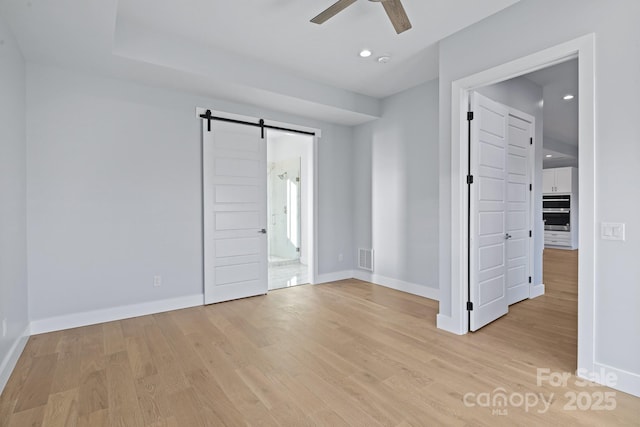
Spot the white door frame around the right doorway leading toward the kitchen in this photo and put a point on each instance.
(583, 48)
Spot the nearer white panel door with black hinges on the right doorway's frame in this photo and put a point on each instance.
(488, 291)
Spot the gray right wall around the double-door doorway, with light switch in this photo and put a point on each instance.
(530, 26)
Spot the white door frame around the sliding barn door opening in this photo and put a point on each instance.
(313, 173)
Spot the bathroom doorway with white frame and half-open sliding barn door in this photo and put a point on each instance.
(234, 209)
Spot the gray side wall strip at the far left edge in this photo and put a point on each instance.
(13, 252)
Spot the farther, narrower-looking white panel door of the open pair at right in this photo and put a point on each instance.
(518, 207)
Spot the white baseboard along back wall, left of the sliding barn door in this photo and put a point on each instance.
(75, 320)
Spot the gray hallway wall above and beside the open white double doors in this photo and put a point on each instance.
(525, 96)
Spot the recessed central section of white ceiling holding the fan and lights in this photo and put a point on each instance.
(279, 32)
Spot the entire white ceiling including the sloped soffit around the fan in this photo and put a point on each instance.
(265, 51)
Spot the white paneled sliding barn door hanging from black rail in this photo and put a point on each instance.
(235, 211)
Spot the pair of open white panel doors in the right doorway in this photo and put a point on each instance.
(500, 259)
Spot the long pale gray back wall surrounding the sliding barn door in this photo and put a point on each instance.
(114, 192)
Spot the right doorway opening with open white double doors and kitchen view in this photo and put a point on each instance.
(503, 161)
